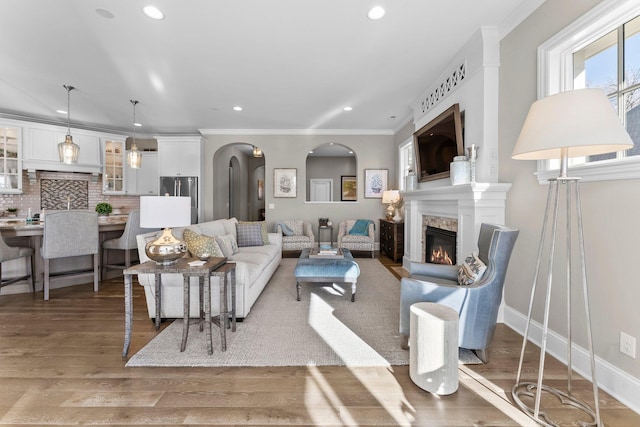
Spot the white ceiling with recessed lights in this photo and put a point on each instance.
(290, 64)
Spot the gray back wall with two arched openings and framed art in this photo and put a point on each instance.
(290, 151)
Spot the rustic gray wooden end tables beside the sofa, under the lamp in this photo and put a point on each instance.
(181, 266)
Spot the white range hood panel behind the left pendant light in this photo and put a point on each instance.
(41, 149)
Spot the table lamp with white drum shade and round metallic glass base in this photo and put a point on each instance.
(165, 212)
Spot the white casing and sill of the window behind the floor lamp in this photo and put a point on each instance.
(555, 74)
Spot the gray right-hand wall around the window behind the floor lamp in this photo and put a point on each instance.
(609, 208)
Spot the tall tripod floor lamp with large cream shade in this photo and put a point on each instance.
(570, 124)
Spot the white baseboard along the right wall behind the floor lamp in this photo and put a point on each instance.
(618, 383)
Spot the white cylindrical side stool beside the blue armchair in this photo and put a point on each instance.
(433, 347)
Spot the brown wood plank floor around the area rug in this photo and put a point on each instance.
(60, 364)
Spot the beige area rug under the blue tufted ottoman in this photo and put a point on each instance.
(324, 328)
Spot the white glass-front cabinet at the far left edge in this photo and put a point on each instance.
(10, 160)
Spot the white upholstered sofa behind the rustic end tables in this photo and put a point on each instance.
(254, 267)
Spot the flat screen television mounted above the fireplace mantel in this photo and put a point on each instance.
(437, 143)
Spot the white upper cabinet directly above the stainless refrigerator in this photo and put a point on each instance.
(179, 156)
